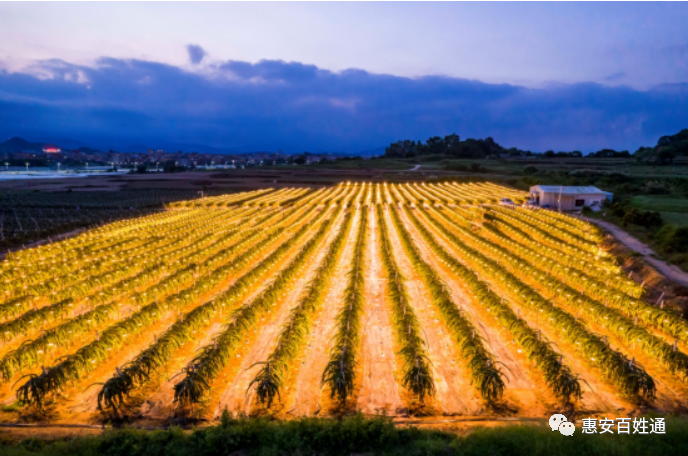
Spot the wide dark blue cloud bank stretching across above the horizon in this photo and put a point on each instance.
(293, 106)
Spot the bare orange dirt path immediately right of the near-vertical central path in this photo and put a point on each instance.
(455, 394)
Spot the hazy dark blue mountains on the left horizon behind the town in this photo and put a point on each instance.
(13, 145)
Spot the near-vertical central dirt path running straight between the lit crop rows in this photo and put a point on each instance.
(379, 391)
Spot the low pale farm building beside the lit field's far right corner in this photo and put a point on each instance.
(568, 198)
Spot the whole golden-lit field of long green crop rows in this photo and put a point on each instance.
(377, 298)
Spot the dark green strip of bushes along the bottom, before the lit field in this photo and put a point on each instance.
(355, 435)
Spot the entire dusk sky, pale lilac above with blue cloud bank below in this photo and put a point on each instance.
(343, 76)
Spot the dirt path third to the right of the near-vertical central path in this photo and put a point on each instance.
(598, 396)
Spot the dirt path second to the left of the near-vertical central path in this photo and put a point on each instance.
(237, 397)
